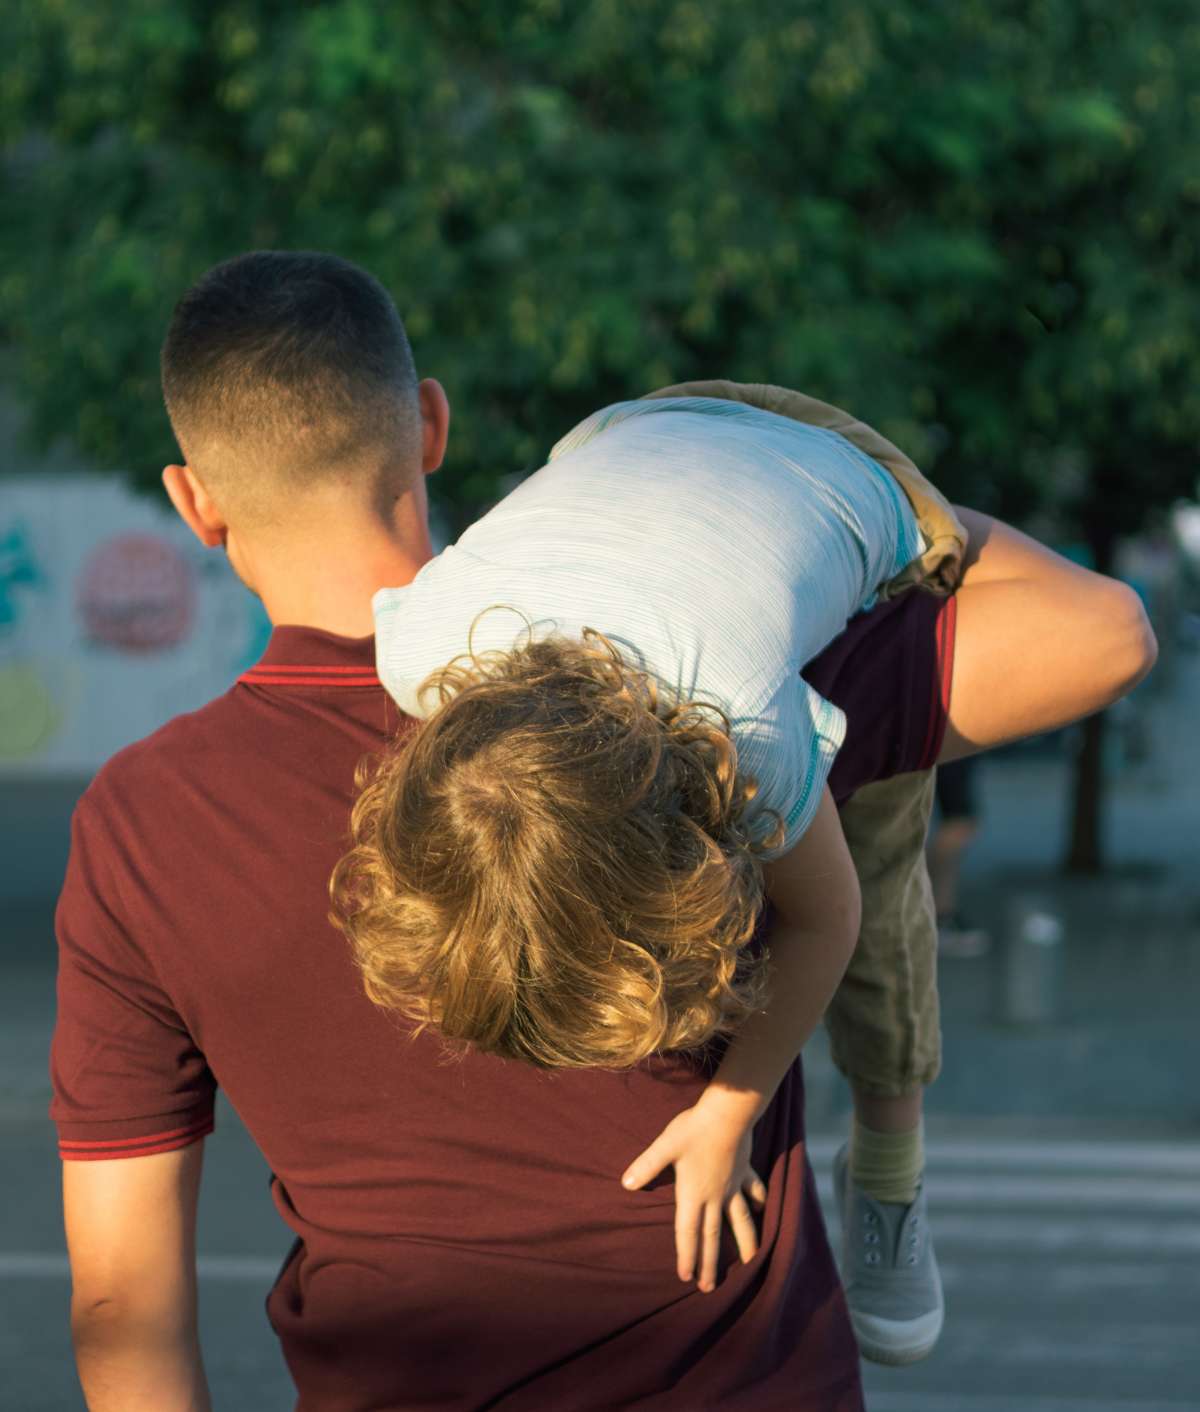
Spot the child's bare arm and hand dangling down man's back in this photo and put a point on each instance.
(815, 895)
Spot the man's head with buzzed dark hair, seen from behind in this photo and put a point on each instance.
(292, 389)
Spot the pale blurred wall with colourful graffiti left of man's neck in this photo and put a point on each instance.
(112, 622)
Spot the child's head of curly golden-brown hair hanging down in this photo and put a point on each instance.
(557, 866)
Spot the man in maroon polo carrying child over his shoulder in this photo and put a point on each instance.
(462, 1236)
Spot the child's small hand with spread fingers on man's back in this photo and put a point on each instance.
(709, 1147)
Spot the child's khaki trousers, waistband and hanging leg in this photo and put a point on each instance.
(883, 1023)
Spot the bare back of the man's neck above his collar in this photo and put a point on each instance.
(328, 580)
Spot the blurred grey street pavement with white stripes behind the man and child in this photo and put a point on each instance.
(1065, 1159)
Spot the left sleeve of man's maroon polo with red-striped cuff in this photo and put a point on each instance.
(128, 1078)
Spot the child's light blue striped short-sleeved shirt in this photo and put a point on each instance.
(721, 547)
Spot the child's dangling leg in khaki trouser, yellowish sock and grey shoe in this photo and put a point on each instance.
(886, 1040)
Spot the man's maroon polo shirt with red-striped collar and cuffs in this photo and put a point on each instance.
(464, 1239)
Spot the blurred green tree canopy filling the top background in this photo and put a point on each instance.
(975, 225)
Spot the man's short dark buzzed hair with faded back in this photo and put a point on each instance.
(282, 369)
